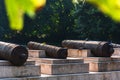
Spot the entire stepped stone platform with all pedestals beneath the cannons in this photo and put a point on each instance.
(80, 65)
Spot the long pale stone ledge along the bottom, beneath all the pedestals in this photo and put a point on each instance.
(114, 75)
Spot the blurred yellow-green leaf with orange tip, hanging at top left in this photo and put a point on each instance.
(17, 8)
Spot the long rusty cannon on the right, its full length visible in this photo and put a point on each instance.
(98, 48)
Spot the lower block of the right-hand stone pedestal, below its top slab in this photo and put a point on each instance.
(104, 66)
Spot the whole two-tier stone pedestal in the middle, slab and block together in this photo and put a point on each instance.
(63, 66)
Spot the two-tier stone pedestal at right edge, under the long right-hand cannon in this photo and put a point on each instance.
(103, 64)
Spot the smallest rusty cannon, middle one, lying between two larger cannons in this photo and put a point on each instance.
(51, 51)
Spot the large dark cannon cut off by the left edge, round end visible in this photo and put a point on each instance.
(16, 54)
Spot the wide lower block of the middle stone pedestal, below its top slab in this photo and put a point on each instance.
(58, 69)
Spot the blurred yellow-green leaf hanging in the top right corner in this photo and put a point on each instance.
(109, 7)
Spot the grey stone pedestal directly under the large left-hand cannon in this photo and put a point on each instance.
(7, 70)
